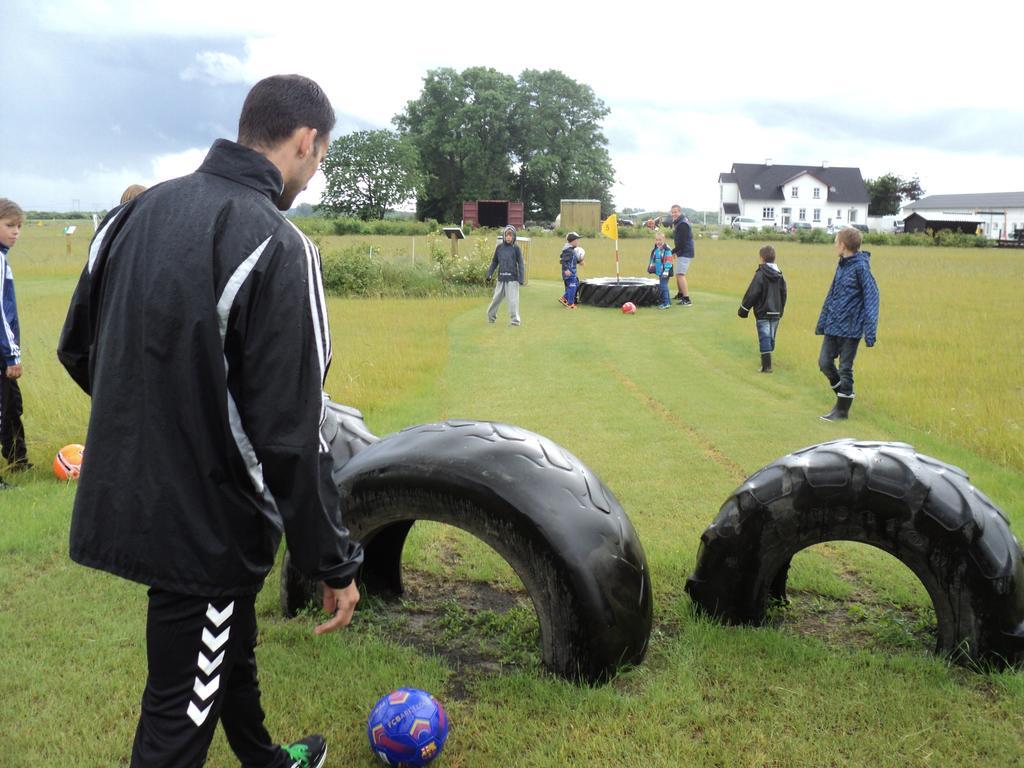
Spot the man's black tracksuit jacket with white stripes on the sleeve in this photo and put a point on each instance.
(200, 330)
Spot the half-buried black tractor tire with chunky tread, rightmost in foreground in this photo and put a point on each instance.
(924, 513)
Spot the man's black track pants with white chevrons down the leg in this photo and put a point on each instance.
(202, 670)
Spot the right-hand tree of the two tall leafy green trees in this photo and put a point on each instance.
(561, 150)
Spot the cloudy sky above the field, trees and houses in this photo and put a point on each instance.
(99, 95)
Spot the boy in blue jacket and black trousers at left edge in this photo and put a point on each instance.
(12, 432)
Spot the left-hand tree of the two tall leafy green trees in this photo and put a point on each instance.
(461, 129)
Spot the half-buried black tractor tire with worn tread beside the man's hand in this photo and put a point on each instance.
(551, 519)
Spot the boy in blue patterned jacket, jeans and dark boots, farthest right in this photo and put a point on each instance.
(850, 312)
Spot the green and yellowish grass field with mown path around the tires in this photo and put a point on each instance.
(844, 677)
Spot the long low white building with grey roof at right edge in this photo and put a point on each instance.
(999, 215)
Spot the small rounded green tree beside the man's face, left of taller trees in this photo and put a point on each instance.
(368, 173)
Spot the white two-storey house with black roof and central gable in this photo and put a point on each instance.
(781, 196)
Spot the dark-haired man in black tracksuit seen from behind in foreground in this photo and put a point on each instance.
(199, 327)
